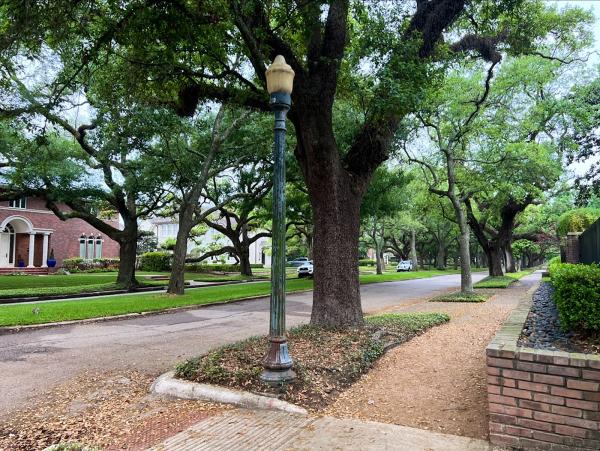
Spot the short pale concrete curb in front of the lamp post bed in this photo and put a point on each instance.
(167, 384)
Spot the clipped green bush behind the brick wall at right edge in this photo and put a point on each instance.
(577, 296)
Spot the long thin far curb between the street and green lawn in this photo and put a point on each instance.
(5, 330)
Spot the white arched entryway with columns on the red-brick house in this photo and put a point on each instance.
(21, 244)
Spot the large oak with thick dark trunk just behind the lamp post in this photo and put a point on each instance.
(381, 55)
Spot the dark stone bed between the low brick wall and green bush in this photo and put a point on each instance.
(542, 329)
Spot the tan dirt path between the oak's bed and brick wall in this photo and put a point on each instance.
(437, 381)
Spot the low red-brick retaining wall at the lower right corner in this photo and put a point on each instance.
(541, 399)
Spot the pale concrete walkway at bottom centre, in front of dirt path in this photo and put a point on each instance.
(268, 430)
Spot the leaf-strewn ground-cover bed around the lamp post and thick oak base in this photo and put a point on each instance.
(326, 361)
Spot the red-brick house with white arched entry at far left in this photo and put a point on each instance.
(29, 231)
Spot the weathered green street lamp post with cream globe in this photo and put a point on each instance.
(277, 361)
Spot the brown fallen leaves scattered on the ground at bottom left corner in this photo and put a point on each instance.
(110, 410)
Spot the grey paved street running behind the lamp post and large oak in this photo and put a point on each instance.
(31, 362)
